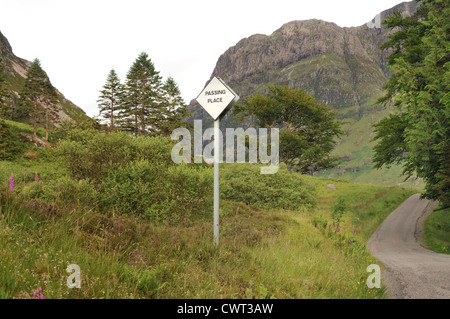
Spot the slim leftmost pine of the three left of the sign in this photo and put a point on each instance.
(110, 97)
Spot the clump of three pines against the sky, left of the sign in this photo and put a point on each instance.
(144, 104)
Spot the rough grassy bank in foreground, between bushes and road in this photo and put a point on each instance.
(263, 253)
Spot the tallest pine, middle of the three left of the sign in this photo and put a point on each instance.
(142, 104)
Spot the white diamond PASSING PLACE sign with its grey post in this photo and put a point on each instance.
(217, 98)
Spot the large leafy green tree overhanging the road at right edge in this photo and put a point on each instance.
(417, 135)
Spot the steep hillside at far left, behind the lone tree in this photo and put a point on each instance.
(16, 68)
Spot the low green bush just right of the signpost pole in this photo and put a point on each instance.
(245, 183)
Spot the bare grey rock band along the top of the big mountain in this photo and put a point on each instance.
(299, 40)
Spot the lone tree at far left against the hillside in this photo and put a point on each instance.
(38, 97)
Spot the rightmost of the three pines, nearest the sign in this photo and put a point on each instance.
(174, 108)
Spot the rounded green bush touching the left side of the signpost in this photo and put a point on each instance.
(154, 192)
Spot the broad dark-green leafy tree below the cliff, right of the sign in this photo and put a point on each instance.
(307, 127)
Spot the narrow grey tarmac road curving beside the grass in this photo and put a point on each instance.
(411, 270)
